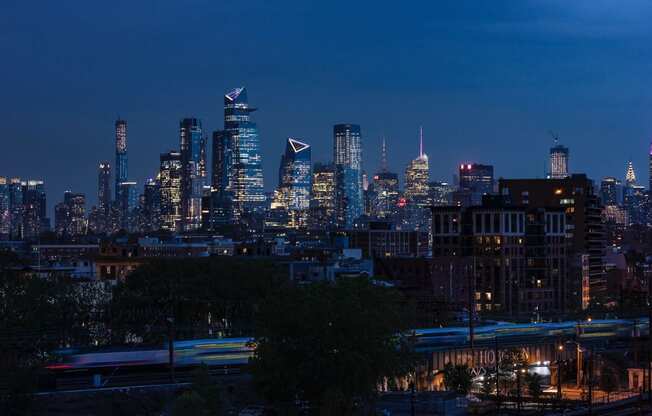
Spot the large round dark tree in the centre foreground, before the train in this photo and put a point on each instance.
(347, 334)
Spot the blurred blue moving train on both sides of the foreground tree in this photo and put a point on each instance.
(236, 352)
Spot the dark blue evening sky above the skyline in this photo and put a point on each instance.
(486, 79)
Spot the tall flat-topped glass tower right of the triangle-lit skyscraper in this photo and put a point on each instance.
(347, 157)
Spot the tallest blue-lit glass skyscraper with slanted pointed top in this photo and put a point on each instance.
(237, 162)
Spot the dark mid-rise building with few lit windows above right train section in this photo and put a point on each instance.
(501, 258)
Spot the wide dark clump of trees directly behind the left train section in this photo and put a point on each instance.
(205, 296)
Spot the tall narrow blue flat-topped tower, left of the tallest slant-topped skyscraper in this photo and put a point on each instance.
(192, 149)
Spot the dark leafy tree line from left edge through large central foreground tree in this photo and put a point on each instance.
(327, 344)
